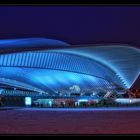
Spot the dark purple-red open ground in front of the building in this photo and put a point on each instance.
(70, 121)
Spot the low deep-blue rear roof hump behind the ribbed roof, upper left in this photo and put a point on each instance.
(11, 45)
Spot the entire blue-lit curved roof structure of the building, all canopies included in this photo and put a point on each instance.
(47, 65)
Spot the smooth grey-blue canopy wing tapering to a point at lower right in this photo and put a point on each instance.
(122, 59)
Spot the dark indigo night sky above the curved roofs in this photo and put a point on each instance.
(73, 24)
